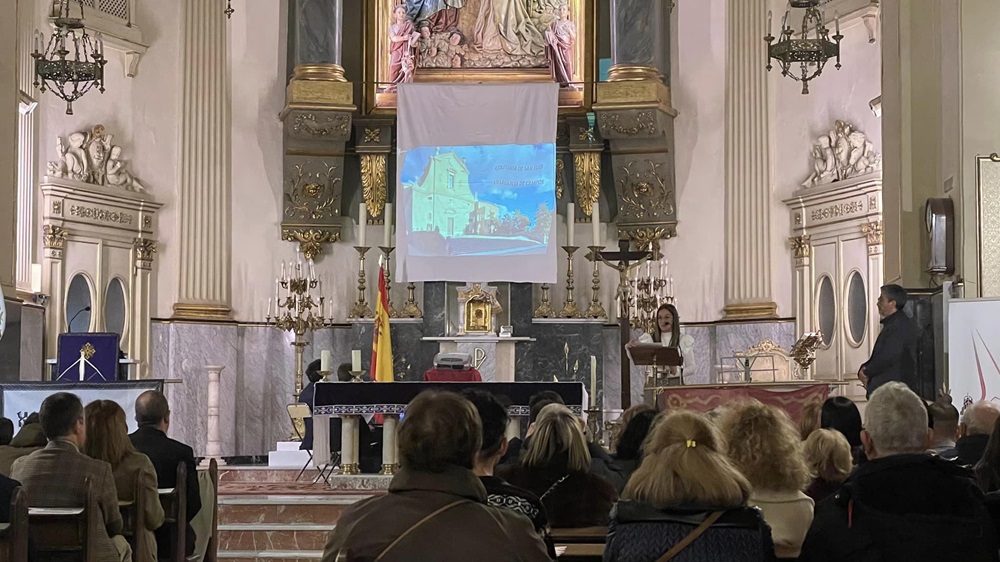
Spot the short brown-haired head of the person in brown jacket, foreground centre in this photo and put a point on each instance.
(441, 430)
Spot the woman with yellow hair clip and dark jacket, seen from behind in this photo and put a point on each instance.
(683, 482)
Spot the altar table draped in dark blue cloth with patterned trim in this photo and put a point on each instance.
(350, 401)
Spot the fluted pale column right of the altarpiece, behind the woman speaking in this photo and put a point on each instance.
(747, 164)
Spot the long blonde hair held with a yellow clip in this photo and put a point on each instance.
(685, 464)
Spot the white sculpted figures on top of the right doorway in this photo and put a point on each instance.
(841, 154)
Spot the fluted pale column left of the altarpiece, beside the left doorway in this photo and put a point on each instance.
(205, 191)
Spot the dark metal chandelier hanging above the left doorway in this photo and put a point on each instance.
(72, 63)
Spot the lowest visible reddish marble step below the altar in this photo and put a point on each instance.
(273, 537)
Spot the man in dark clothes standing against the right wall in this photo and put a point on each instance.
(894, 356)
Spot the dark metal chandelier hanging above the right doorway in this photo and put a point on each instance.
(811, 49)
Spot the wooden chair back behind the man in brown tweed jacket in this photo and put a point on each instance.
(60, 531)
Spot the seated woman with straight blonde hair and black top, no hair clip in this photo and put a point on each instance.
(556, 468)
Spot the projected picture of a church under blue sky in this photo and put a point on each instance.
(479, 200)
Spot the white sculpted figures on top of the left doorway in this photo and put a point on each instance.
(91, 158)
